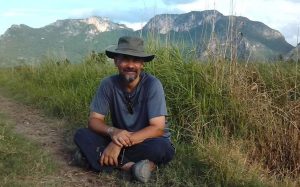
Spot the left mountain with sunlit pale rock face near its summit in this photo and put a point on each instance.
(70, 38)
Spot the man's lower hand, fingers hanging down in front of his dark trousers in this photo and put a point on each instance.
(110, 155)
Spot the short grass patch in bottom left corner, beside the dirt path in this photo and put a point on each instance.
(22, 163)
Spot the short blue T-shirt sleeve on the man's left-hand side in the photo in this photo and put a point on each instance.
(102, 99)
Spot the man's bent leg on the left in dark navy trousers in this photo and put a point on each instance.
(92, 146)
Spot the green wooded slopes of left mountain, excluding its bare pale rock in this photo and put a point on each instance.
(50, 41)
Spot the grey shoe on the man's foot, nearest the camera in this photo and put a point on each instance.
(141, 171)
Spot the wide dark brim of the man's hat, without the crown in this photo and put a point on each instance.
(112, 53)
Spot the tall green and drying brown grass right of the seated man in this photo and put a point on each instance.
(257, 103)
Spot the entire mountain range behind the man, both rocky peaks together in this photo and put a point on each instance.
(209, 33)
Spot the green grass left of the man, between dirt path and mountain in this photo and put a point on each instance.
(61, 89)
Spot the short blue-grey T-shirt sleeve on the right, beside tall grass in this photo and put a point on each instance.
(156, 104)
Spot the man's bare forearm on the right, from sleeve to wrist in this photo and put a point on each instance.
(154, 130)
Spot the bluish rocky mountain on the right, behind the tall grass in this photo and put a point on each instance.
(212, 33)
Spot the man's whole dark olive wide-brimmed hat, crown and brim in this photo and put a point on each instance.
(132, 46)
